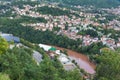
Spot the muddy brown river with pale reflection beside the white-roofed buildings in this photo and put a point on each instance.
(82, 60)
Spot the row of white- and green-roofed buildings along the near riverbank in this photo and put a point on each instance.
(52, 52)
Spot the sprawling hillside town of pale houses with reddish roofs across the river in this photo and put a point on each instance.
(71, 25)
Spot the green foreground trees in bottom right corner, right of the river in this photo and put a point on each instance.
(109, 66)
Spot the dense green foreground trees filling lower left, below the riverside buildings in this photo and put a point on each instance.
(18, 64)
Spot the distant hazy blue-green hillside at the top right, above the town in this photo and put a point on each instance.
(96, 3)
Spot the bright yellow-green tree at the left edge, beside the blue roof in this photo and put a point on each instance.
(3, 45)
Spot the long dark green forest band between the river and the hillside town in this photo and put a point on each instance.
(48, 37)
